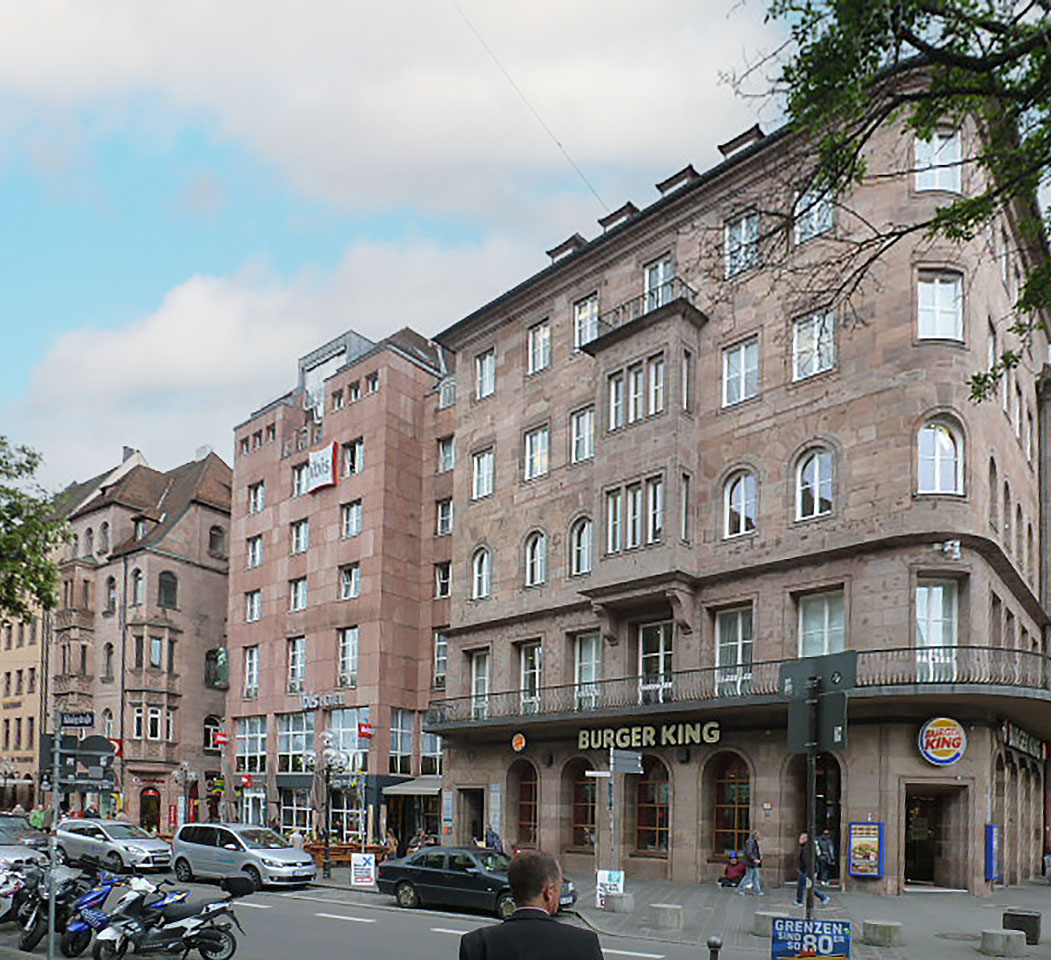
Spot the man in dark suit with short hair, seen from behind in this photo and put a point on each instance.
(531, 933)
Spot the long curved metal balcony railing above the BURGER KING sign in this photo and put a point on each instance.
(905, 666)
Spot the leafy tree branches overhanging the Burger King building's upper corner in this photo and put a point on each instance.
(852, 67)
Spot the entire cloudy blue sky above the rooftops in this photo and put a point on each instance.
(194, 195)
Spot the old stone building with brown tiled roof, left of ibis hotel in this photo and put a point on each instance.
(139, 634)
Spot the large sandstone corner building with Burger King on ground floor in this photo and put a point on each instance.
(677, 472)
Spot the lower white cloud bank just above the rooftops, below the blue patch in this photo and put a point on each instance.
(218, 349)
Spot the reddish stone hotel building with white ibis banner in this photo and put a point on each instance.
(340, 580)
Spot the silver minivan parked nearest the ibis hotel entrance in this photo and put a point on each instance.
(239, 850)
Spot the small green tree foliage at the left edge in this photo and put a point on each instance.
(30, 530)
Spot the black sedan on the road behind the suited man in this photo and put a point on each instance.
(455, 876)
